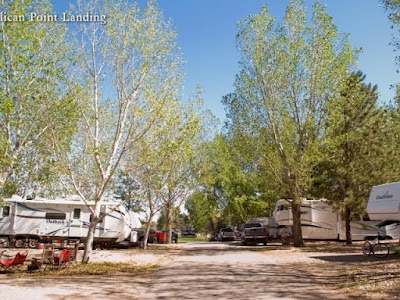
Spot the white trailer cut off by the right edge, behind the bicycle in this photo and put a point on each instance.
(384, 204)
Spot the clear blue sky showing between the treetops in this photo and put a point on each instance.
(207, 29)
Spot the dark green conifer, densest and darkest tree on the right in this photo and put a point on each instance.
(353, 150)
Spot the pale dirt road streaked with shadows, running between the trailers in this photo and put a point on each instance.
(198, 271)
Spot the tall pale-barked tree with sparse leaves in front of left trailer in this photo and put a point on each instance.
(125, 71)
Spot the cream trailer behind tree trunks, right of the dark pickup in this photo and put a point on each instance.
(320, 221)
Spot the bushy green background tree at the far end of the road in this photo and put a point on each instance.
(230, 189)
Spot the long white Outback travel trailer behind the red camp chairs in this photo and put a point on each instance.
(30, 221)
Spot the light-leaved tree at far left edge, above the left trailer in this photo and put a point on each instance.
(34, 105)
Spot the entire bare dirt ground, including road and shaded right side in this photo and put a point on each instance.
(327, 270)
